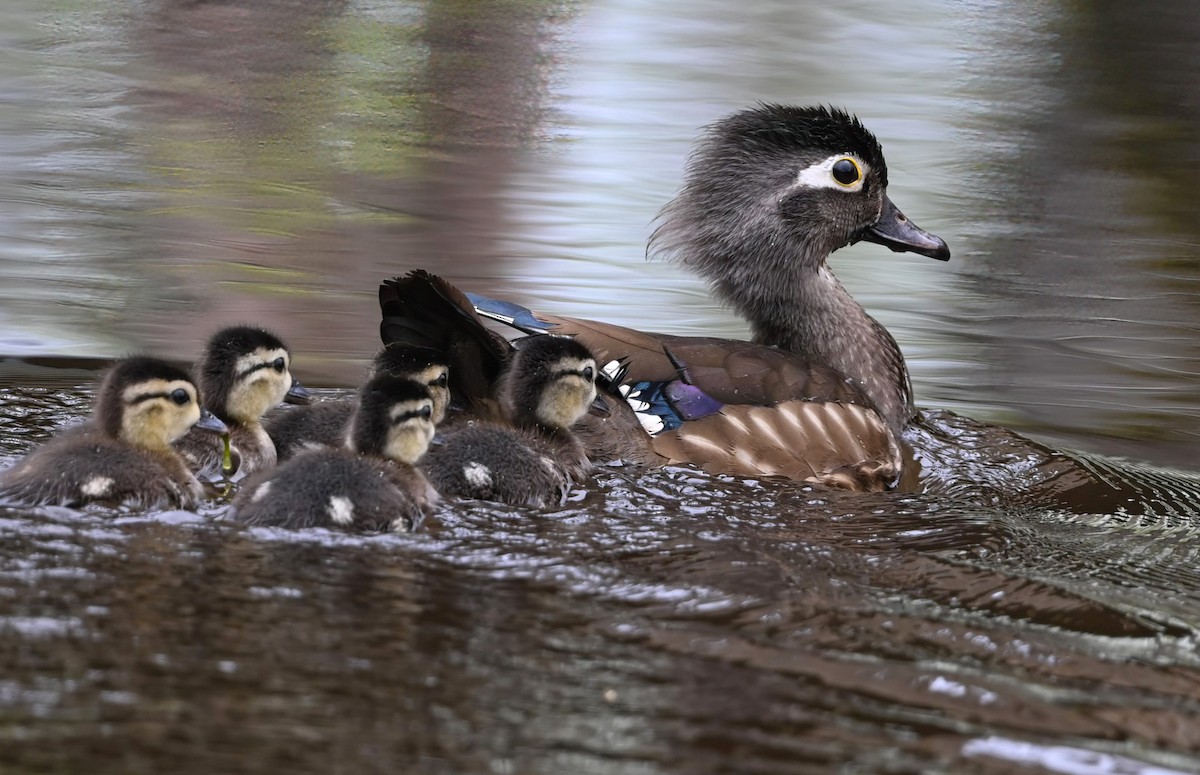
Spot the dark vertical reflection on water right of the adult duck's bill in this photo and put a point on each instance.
(1083, 301)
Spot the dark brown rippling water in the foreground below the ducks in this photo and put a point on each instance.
(775, 630)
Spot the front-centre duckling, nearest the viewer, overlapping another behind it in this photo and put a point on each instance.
(370, 484)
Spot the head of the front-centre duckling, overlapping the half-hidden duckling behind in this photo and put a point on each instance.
(394, 419)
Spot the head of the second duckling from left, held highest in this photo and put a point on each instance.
(245, 371)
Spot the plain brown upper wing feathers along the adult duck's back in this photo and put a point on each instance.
(731, 371)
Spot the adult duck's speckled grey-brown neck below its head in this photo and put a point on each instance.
(817, 319)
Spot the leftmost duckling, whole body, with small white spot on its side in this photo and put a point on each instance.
(124, 455)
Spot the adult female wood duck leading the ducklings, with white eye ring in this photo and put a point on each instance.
(821, 394)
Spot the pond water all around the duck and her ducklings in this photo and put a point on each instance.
(171, 166)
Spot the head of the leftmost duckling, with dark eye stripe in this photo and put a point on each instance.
(151, 404)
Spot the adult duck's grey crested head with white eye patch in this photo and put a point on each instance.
(784, 185)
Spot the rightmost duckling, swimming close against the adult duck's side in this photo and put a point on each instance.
(549, 386)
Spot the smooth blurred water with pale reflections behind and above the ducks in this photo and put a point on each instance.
(171, 166)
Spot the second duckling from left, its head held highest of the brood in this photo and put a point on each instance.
(243, 373)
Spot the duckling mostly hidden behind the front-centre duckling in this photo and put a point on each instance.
(326, 424)
